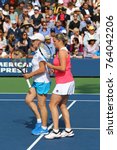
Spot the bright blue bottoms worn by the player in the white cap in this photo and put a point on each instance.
(41, 87)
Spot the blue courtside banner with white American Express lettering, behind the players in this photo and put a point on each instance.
(80, 67)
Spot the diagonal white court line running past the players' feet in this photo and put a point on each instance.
(39, 138)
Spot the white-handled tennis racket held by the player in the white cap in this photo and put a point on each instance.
(20, 62)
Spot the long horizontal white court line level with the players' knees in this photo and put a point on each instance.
(22, 100)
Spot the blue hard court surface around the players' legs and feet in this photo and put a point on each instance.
(17, 121)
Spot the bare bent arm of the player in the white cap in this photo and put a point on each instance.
(42, 69)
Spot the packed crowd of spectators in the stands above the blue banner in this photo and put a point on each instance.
(78, 20)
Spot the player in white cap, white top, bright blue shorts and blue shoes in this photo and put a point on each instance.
(40, 86)
